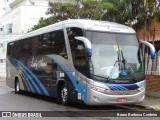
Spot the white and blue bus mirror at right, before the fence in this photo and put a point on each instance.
(151, 47)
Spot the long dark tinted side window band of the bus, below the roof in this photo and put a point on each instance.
(45, 44)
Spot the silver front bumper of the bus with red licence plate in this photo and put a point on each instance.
(98, 98)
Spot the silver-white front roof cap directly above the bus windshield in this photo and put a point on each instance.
(98, 25)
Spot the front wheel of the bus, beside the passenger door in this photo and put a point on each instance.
(64, 95)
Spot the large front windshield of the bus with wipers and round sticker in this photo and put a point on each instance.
(115, 55)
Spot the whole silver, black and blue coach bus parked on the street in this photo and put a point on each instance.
(82, 61)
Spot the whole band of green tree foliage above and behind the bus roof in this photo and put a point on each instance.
(121, 11)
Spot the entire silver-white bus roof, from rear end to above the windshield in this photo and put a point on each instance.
(94, 25)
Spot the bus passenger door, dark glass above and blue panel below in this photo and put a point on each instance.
(79, 61)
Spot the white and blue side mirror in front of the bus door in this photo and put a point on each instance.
(87, 44)
